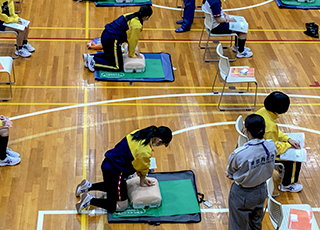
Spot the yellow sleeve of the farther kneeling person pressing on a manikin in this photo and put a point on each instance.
(133, 35)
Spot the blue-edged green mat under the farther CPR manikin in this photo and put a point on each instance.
(158, 69)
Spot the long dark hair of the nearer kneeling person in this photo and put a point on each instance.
(163, 132)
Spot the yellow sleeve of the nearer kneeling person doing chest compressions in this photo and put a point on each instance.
(141, 154)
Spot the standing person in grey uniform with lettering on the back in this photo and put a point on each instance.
(250, 166)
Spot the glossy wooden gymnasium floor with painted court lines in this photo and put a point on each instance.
(62, 139)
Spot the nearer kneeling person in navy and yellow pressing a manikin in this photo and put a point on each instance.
(131, 155)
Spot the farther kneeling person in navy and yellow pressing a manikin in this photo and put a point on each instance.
(126, 28)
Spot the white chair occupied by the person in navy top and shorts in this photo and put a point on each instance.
(208, 27)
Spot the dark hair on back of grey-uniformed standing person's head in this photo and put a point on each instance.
(255, 124)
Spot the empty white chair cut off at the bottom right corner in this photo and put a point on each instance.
(279, 213)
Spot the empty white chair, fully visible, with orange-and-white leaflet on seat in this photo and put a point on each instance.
(225, 72)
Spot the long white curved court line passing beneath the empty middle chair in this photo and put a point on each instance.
(144, 98)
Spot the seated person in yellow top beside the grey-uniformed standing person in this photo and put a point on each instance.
(275, 104)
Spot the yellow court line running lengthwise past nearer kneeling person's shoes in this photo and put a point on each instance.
(84, 150)
